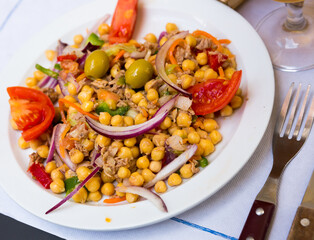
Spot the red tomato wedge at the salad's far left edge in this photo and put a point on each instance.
(32, 101)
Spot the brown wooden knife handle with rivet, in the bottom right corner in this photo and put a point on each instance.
(303, 225)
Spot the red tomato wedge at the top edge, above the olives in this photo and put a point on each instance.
(123, 21)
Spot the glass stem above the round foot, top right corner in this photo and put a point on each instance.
(295, 20)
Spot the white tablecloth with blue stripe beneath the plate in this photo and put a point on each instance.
(222, 216)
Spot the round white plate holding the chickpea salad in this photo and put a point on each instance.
(242, 132)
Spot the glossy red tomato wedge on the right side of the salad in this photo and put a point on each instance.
(214, 94)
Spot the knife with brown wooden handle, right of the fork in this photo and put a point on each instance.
(303, 224)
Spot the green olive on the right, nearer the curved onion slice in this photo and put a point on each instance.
(139, 73)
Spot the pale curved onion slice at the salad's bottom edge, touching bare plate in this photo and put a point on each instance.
(145, 193)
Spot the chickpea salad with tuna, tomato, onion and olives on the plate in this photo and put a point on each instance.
(114, 119)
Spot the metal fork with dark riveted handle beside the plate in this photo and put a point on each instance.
(285, 148)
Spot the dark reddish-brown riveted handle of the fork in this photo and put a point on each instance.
(257, 223)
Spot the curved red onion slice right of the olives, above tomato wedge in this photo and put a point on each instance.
(161, 59)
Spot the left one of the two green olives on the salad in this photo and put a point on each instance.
(96, 64)
